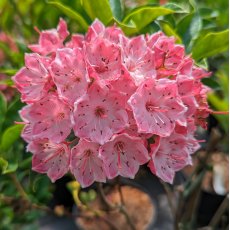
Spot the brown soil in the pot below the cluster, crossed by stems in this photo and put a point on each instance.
(137, 203)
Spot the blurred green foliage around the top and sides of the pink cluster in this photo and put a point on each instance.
(201, 26)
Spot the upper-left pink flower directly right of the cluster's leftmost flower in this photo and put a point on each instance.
(69, 74)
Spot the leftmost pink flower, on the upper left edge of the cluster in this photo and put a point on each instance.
(33, 81)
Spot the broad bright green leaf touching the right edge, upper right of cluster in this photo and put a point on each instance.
(211, 44)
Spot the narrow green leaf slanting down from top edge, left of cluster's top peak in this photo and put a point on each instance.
(71, 13)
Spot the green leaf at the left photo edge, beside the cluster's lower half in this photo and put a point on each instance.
(10, 136)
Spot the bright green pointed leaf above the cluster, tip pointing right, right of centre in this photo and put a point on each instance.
(142, 16)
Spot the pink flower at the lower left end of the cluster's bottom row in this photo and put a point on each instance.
(50, 158)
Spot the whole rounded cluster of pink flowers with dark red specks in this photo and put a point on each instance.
(102, 104)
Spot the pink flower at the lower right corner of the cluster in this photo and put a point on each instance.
(169, 155)
